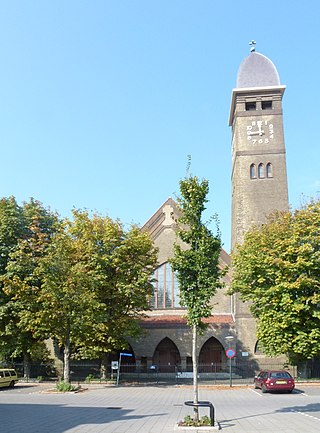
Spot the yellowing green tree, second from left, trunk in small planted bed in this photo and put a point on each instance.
(66, 298)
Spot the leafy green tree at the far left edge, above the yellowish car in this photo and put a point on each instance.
(33, 227)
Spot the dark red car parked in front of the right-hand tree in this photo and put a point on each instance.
(274, 380)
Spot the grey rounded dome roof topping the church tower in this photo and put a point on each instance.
(256, 70)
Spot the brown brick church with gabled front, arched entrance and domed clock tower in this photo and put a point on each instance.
(259, 186)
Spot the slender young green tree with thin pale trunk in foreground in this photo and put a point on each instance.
(196, 262)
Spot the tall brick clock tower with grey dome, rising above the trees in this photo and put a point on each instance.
(259, 177)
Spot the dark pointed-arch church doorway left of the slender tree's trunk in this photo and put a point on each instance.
(166, 356)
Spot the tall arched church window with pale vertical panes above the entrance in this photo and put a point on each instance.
(166, 288)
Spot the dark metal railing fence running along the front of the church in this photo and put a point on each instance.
(213, 373)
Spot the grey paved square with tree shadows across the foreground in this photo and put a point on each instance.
(154, 409)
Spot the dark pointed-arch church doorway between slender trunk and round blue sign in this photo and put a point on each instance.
(211, 356)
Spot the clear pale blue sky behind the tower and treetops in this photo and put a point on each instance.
(102, 101)
